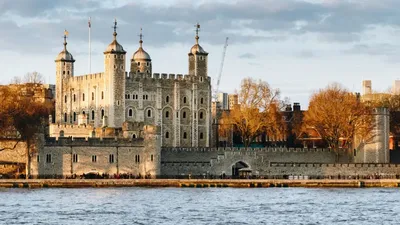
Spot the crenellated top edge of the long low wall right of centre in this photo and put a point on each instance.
(244, 150)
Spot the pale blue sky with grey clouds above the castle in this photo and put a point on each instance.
(297, 46)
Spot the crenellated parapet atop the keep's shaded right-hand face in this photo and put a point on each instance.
(161, 76)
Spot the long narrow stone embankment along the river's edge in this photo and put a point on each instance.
(194, 183)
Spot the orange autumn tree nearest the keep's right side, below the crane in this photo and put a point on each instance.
(257, 113)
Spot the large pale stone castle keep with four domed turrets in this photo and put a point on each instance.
(112, 102)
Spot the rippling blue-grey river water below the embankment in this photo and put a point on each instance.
(199, 206)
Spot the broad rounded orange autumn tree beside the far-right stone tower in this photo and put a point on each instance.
(338, 115)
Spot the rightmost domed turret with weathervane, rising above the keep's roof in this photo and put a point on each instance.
(198, 58)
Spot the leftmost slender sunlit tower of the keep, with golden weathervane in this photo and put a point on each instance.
(64, 71)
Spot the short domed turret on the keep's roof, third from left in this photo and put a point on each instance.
(141, 61)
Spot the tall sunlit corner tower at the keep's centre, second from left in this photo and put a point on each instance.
(114, 72)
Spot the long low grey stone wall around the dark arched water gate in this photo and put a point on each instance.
(180, 161)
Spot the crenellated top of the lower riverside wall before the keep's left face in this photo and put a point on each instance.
(98, 142)
